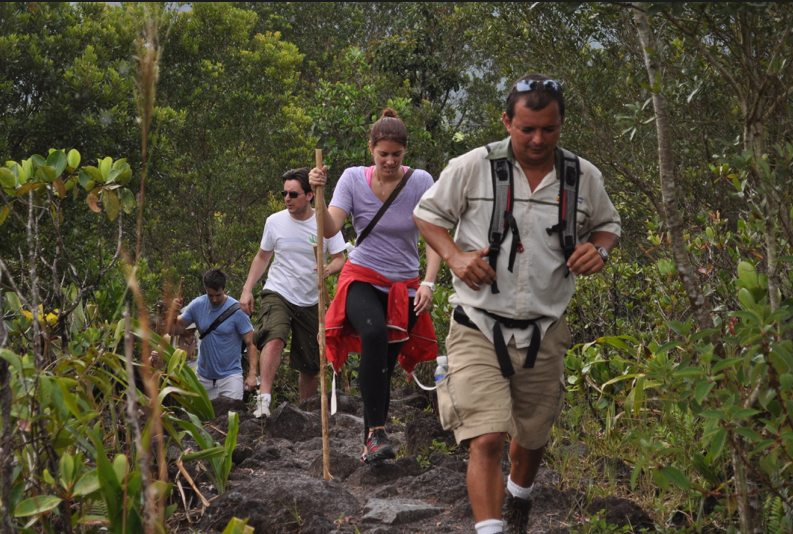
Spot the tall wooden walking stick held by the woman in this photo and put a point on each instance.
(319, 193)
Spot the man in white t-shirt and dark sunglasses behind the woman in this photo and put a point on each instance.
(290, 298)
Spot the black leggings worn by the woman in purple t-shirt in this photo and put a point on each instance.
(366, 310)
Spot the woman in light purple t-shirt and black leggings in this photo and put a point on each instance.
(390, 249)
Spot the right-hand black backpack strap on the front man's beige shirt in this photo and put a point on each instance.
(568, 170)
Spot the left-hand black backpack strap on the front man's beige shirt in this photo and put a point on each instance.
(501, 174)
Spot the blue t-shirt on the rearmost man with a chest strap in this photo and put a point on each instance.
(220, 351)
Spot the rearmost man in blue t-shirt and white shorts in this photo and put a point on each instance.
(219, 368)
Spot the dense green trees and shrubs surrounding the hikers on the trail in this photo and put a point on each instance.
(683, 360)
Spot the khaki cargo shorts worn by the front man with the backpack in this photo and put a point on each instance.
(475, 399)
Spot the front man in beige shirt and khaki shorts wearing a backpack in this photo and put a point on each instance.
(482, 398)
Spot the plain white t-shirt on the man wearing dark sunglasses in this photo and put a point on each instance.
(292, 273)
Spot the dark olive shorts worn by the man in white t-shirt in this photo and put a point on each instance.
(278, 318)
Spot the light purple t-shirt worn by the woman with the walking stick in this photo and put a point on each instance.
(391, 248)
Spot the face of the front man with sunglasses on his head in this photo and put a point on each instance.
(534, 134)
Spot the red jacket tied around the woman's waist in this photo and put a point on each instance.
(421, 344)
